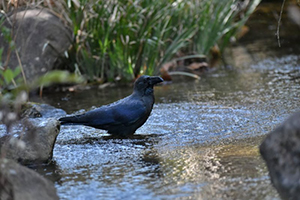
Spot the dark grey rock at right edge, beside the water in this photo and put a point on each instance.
(281, 151)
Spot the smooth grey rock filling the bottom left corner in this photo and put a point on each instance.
(20, 183)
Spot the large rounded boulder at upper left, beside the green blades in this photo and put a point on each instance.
(41, 40)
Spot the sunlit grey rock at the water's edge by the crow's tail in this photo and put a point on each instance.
(35, 144)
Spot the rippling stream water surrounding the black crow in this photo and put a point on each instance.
(200, 142)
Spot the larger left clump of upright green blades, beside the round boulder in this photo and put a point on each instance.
(126, 38)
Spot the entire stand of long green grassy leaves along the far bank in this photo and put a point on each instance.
(126, 38)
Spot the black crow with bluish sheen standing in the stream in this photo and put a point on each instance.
(123, 117)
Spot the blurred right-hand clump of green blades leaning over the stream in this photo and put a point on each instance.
(219, 21)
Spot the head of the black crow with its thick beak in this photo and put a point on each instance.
(144, 84)
